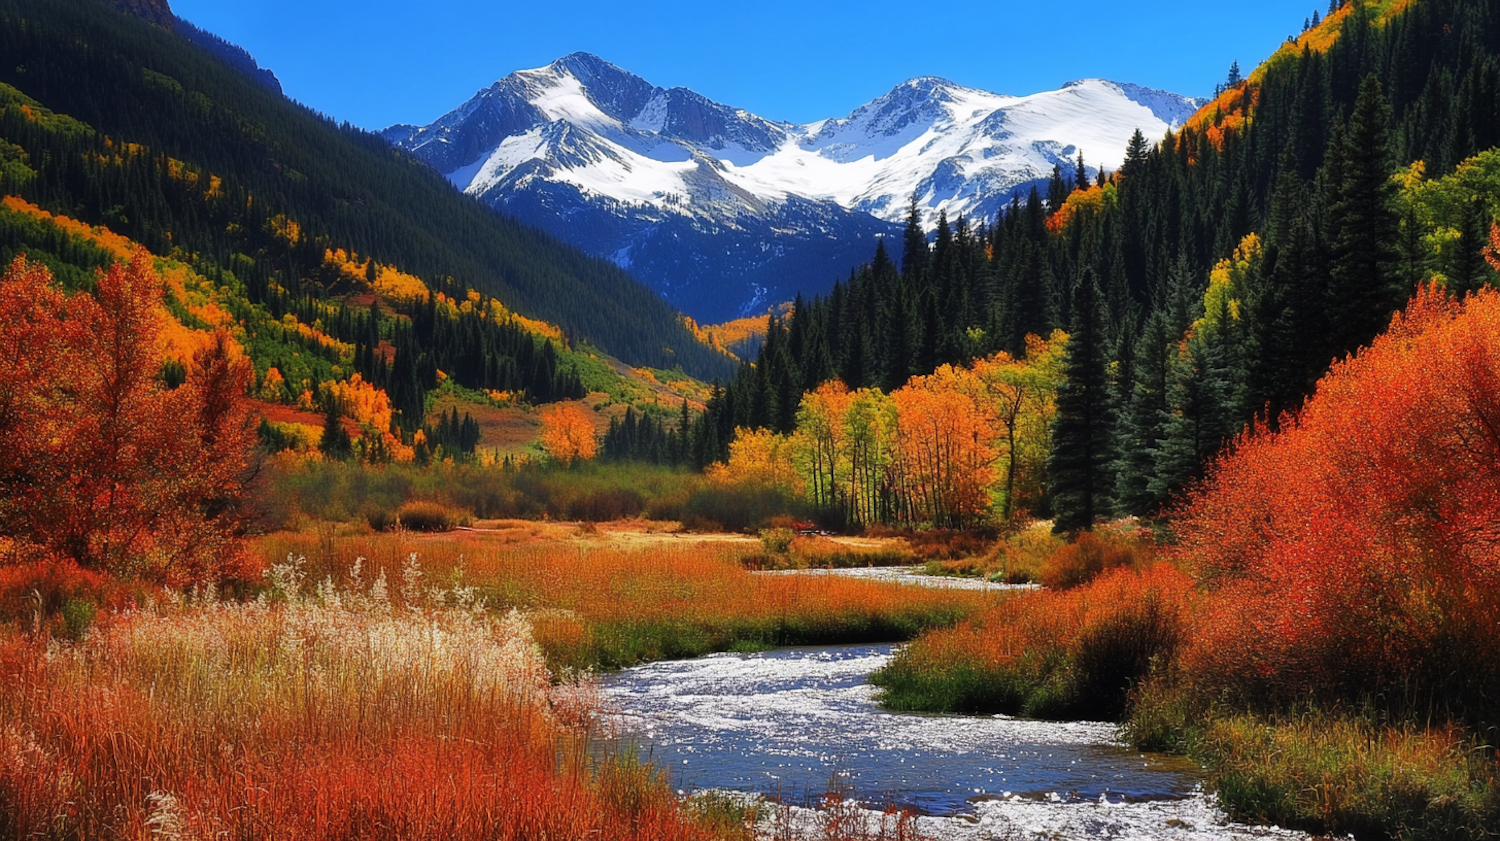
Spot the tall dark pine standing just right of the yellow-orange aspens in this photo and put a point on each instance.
(1081, 464)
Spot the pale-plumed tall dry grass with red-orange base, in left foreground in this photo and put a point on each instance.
(377, 708)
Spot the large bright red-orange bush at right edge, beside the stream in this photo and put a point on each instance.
(1360, 546)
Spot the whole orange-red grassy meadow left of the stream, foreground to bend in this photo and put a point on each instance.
(395, 686)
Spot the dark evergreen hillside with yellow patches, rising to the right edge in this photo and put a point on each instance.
(1208, 283)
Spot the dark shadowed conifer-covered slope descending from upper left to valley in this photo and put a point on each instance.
(142, 85)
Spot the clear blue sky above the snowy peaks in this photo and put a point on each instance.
(382, 62)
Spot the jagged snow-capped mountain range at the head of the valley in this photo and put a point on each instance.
(725, 212)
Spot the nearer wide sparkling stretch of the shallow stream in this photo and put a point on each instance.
(796, 723)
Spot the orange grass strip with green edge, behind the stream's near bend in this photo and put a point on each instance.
(605, 602)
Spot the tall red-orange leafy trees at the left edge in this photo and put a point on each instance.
(104, 464)
